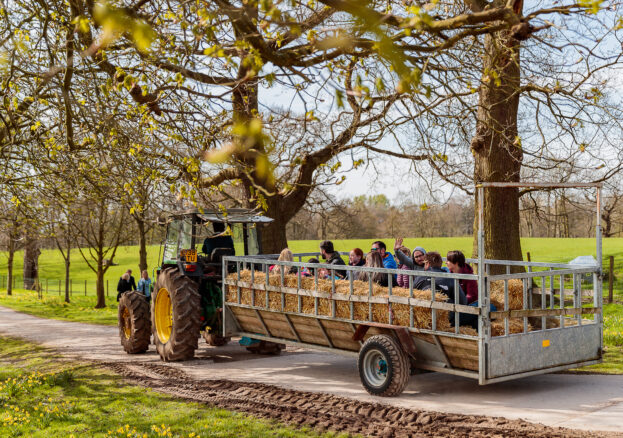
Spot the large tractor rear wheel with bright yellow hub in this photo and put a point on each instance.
(176, 316)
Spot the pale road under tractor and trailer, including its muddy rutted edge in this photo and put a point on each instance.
(323, 391)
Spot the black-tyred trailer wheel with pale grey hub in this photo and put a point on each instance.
(383, 366)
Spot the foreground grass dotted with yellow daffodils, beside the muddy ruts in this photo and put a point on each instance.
(41, 396)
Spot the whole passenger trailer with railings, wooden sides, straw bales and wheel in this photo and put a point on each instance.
(545, 320)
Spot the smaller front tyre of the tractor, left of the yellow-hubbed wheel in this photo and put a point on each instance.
(134, 322)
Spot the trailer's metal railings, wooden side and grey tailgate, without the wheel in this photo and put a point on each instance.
(555, 335)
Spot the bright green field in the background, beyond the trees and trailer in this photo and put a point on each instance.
(51, 267)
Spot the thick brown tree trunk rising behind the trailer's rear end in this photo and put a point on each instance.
(497, 150)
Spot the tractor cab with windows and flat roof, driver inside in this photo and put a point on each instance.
(196, 241)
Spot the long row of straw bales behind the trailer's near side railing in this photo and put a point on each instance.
(380, 312)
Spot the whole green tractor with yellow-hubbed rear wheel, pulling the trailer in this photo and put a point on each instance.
(187, 298)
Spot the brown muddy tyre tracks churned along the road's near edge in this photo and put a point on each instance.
(328, 412)
